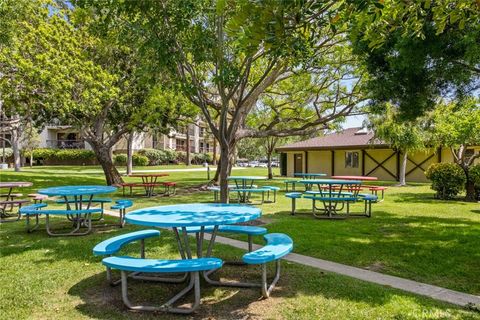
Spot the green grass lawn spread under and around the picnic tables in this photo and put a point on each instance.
(410, 235)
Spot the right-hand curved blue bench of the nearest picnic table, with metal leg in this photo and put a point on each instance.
(278, 245)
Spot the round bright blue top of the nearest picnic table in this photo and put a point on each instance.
(193, 215)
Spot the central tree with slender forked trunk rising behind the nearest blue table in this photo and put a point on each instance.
(225, 54)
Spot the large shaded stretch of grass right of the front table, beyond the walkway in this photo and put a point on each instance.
(437, 250)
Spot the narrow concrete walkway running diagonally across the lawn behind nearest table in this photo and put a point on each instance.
(434, 292)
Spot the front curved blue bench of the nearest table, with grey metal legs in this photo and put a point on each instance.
(191, 266)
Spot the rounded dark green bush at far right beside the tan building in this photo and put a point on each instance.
(448, 179)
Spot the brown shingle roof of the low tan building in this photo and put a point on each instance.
(348, 138)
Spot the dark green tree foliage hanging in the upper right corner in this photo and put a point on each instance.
(418, 52)
